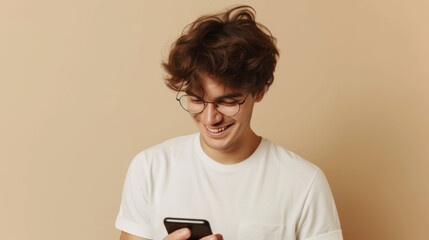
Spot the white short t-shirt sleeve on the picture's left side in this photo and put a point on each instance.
(134, 214)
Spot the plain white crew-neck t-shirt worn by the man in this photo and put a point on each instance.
(274, 194)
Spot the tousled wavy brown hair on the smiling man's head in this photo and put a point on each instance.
(230, 47)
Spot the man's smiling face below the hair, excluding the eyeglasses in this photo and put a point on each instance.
(224, 133)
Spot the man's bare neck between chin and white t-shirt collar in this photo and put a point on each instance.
(240, 152)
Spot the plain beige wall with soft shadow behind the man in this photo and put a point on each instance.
(81, 93)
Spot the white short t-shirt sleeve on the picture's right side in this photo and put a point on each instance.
(319, 219)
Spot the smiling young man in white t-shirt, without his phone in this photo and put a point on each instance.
(245, 186)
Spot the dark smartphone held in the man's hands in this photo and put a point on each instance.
(199, 227)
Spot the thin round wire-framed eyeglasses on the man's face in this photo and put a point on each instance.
(226, 106)
